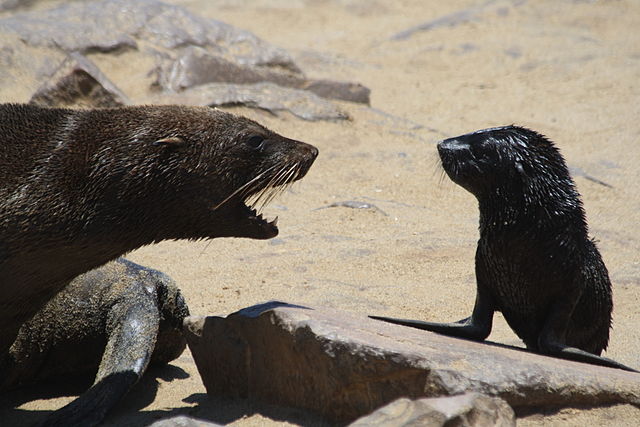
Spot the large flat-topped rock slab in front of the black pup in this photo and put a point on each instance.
(343, 365)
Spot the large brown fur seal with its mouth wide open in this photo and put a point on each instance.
(79, 188)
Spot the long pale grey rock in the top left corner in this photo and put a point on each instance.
(82, 27)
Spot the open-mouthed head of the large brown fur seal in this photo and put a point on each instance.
(228, 168)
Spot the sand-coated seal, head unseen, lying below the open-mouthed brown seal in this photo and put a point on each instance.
(114, 320)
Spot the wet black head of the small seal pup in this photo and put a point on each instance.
(510, 163)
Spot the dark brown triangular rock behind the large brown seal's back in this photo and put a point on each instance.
(78, 82)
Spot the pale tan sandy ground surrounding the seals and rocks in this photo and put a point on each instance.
(569, 69)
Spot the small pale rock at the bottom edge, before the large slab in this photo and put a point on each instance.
(469, 409)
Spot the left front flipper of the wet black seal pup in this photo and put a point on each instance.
(477, 327)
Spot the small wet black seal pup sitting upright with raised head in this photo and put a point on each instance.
(535, 262)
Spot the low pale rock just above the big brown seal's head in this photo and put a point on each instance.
(266, 96)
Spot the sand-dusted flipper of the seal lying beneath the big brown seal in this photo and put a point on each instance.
(132, 328)
